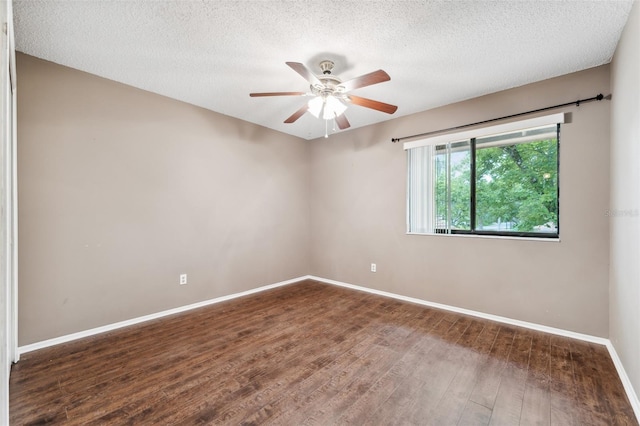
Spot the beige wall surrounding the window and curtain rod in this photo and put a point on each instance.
(358, 182)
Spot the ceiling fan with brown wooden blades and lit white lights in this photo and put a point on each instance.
(331, 95)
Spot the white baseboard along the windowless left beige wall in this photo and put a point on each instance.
(110, 327)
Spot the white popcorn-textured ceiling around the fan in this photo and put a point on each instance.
(214, 53)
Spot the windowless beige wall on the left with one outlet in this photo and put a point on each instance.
(121, 190)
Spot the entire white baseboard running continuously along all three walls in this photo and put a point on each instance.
(631, 394)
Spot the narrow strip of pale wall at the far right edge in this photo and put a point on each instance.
(625, 196)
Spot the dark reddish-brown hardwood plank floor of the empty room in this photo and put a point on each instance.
(316, 354)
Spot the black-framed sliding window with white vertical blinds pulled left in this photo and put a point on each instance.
(501, 180)
